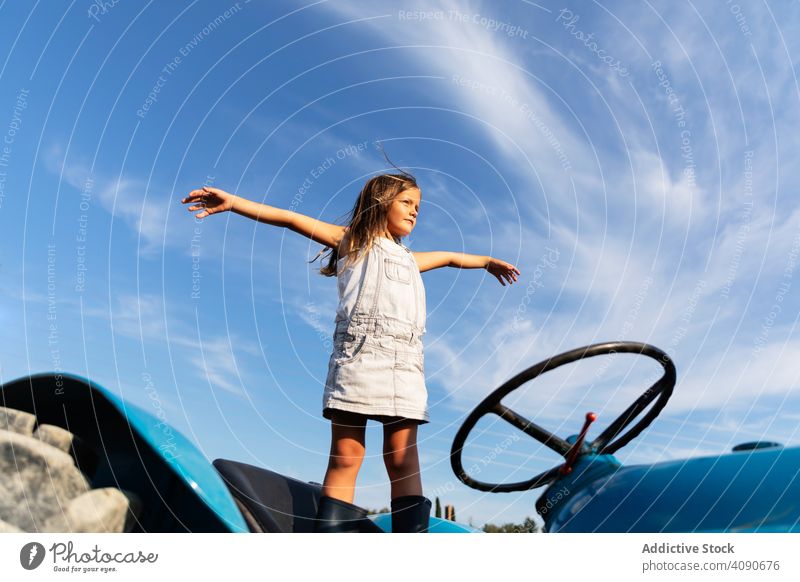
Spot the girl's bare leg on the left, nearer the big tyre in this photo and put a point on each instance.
(347, 453)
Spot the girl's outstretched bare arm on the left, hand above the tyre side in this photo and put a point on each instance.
(214, 200)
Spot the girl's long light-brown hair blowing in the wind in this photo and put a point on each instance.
(367, 219)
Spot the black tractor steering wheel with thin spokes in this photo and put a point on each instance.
(603, 444)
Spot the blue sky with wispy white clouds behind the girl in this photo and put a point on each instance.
(637, 163)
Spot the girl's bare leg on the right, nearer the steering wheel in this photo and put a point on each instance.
(401, 458)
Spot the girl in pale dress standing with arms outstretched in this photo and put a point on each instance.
(376, 369)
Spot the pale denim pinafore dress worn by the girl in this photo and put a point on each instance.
(377, 366)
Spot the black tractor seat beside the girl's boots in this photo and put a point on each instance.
(271, 502)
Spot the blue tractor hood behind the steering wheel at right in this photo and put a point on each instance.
(750, 490)
